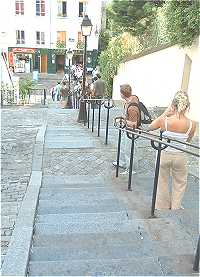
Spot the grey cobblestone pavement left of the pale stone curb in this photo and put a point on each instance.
(19, 126)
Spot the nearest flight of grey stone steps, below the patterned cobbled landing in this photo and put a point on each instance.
(82, 228)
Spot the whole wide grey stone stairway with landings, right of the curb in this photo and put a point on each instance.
(87, 223)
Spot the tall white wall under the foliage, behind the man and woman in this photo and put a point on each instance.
(156, 77)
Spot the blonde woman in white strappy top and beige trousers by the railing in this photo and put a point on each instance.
(175, 125)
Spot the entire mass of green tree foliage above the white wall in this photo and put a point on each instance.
(134, 26)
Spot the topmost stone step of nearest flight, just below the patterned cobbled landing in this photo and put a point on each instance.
(73, 180)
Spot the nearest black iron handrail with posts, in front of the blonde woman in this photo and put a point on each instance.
(159, 143)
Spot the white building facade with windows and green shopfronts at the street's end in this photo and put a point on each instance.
(38, 33)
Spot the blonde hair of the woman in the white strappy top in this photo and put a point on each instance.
(181, 102)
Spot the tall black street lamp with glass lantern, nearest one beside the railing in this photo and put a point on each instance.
(86, 28)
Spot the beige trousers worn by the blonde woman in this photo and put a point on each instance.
(174, 164)
